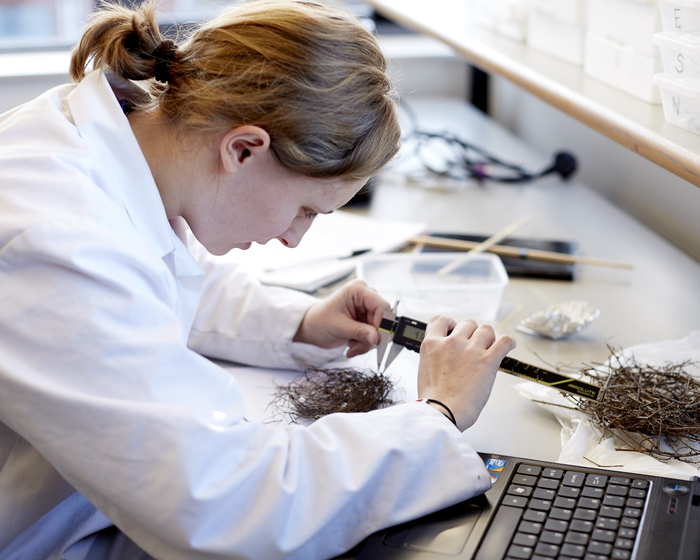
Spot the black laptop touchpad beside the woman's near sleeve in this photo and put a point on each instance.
(438, 533)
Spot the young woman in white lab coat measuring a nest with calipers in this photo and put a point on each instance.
(118, 439)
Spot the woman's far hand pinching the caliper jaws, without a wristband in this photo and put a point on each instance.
(350, 317)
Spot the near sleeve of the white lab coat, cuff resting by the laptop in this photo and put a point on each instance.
(96, 376)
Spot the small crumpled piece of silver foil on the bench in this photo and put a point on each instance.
(561, 320)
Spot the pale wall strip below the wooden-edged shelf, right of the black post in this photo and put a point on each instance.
(659, 199)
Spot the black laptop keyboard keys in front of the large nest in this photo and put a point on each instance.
(568, 514)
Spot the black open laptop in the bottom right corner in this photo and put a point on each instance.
(538, 510)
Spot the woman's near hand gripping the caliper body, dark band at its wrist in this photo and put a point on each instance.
(459, 369)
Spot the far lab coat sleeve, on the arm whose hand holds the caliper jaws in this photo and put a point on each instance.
(243, 321)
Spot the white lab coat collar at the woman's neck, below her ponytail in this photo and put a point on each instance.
(100, 120)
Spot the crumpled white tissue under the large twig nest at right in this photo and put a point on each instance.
(582, 443)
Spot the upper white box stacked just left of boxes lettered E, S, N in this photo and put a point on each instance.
(631, 23)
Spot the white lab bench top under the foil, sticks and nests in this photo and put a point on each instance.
(657, 300)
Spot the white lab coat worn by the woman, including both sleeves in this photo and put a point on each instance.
(104, 390)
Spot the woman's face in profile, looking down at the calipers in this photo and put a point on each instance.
(263, 201)
